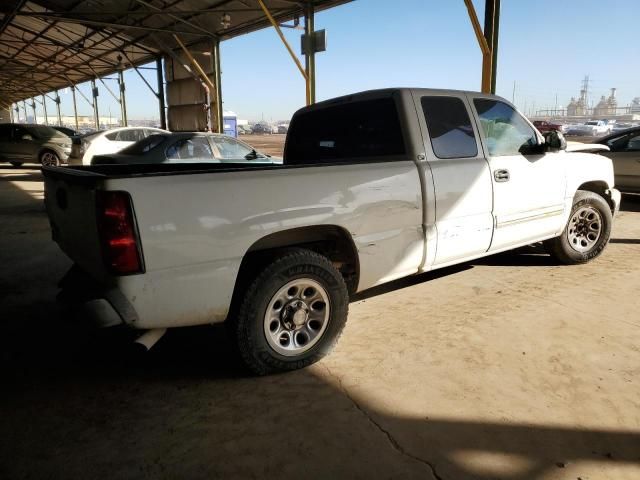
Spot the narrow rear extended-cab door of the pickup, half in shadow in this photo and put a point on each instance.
(462, 224)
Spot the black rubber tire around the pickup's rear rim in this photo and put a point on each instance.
(249, 328)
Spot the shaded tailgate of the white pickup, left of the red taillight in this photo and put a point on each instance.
(71, 206)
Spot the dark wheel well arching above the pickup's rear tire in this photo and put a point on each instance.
(332, 241)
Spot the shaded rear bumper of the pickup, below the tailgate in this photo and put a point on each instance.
(93, 302)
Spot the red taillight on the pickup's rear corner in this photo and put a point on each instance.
(118, 233)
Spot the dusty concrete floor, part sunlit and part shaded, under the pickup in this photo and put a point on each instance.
(510, 367)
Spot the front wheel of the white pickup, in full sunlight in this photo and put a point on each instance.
(567, 247)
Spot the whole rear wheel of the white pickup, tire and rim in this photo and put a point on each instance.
(292, 314)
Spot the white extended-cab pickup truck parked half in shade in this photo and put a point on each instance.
(375, 186)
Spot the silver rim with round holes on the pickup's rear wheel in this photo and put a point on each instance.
(297, 316)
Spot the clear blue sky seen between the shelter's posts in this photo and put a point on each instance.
(546, 47)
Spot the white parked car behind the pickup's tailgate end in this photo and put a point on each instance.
(107, 141)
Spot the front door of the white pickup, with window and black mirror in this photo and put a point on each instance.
(528, 185)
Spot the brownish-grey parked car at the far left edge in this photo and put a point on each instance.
(26, 143)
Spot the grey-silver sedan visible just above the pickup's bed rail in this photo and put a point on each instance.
(186, 147)
